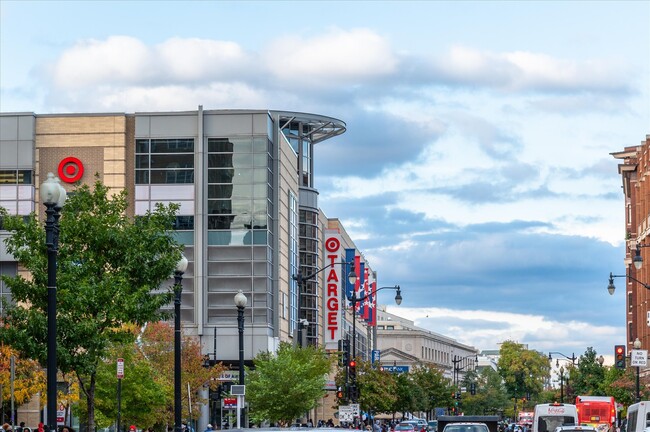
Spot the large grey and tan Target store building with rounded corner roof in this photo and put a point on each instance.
(249, 215)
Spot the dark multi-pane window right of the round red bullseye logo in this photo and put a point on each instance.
(164, 161)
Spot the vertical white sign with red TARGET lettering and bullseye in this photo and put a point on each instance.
(332, 289)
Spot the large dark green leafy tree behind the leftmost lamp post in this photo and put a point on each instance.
(110, 269)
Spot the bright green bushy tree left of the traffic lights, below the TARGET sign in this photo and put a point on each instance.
(286, 384)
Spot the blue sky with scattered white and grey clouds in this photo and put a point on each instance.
(475, 171)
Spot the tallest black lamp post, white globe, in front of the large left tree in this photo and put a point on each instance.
(53, 196)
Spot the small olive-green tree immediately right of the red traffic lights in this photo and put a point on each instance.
(376, 388)
